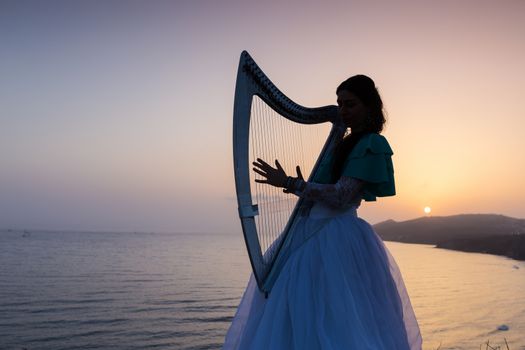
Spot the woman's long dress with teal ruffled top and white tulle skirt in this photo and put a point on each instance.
(340, 288)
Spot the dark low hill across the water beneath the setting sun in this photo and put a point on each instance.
(483, 233)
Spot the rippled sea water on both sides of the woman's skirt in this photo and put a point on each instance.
(81, 290)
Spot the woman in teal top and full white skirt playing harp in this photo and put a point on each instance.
(339, 287)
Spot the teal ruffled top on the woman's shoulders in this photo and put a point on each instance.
(370, 161)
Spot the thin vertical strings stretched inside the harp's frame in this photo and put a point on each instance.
(274, 137)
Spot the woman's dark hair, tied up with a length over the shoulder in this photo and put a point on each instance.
(365, 89)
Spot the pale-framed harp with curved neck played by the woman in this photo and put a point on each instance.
(268, 125)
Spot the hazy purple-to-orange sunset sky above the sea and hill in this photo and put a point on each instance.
(117, 115)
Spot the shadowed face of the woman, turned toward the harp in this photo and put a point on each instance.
(352, 111)
